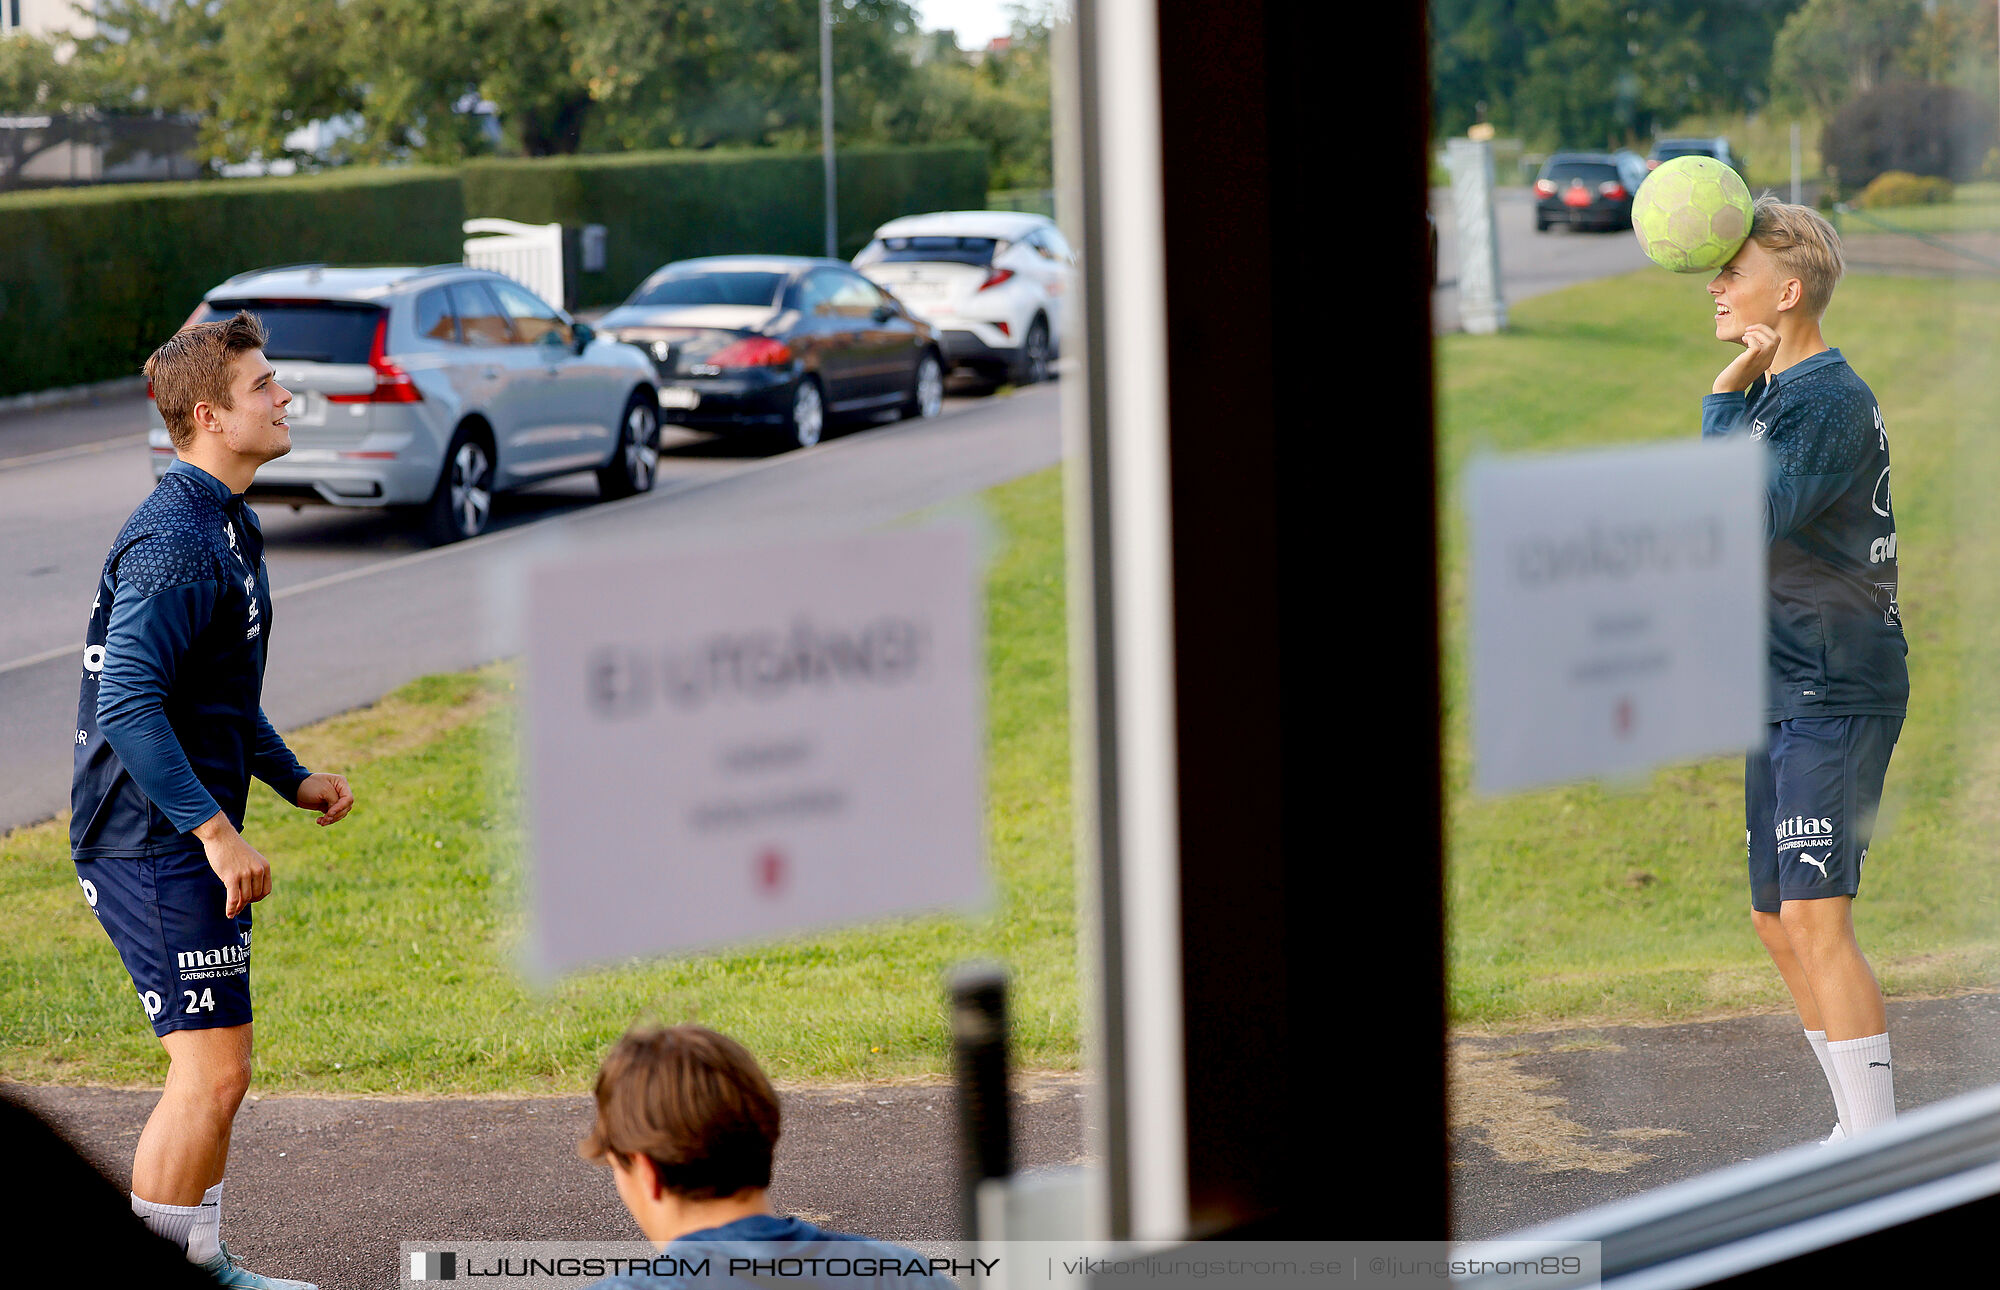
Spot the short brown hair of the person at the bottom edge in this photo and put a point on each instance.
(691, 1101)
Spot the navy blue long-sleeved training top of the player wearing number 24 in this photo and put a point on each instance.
(171, 723)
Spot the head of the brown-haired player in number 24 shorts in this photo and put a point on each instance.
(219, 395)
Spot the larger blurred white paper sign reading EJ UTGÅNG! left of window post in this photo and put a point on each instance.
(753, 743)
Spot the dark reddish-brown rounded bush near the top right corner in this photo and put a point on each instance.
(1909, 127)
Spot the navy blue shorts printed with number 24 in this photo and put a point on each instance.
(165, 915)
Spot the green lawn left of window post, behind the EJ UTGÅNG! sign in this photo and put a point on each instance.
(385, 959)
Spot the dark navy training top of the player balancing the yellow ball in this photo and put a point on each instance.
(1837, 645)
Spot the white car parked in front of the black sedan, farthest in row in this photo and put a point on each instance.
(993, 283)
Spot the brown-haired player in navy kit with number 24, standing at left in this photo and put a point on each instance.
(169, 733)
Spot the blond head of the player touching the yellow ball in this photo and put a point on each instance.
(1783, 279)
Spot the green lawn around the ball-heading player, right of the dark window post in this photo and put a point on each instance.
(1589, 905)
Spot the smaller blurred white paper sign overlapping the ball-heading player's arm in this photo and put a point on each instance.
(1617, 611)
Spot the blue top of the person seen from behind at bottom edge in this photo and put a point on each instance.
(855, 1265)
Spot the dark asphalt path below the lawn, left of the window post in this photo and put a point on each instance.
(327, 1189)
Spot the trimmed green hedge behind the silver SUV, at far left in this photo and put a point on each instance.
(95, 279)
